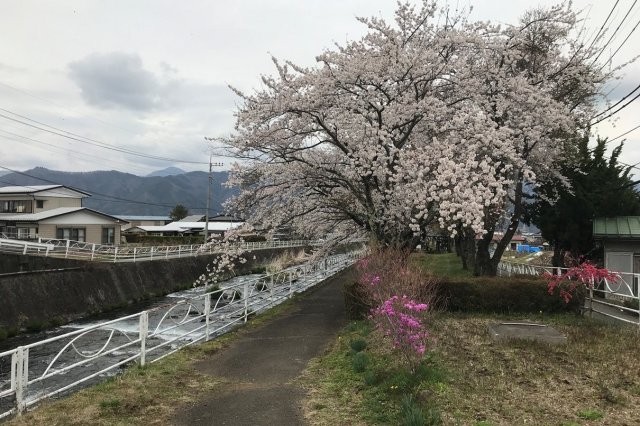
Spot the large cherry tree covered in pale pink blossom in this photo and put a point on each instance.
(430, 120)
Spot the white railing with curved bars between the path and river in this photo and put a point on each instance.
(86, 355)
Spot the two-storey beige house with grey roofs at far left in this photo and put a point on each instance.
(54, 212)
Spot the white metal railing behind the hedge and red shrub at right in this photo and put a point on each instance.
(607, 297)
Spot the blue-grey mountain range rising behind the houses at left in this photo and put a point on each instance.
(118, 193)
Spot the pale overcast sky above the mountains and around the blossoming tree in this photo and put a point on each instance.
(152, 76)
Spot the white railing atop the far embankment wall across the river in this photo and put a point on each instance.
(69, 249)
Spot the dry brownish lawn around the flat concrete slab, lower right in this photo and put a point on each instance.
(523, 382)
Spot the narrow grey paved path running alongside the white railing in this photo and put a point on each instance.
(262, 364)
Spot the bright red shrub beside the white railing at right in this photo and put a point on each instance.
(583, 275)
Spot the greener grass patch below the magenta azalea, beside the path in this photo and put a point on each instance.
(372, 386)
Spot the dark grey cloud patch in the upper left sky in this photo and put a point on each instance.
(114, 80)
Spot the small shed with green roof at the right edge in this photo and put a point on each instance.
(620, 238)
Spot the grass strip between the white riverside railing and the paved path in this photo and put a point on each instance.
(142, 395)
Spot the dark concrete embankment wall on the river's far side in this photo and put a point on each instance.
(40, 298)
